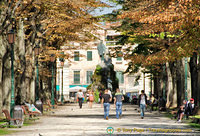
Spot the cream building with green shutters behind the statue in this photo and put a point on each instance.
(78, 70)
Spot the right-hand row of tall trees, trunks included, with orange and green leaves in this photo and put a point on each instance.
(167, 32)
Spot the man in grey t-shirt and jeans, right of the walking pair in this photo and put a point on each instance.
(118, 98)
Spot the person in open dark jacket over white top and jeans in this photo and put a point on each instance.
(142, 103)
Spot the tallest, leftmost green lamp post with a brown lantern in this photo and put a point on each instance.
(11, 40)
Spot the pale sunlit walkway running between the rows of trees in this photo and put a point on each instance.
(69, 120)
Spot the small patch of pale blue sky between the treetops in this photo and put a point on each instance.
(101, 11)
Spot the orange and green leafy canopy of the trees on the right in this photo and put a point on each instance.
(171, 27)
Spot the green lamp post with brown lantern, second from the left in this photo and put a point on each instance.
(37, 52)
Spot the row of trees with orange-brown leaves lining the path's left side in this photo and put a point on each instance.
(50, 24)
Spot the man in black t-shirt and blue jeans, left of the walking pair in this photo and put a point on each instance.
(105, 102)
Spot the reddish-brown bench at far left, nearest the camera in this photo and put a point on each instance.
(11, 121)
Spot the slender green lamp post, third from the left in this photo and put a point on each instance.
(52, 58)
